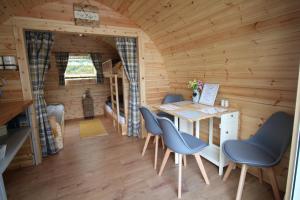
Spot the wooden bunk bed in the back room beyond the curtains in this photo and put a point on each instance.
(116, 105)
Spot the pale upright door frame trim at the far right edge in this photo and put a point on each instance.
(293, 152)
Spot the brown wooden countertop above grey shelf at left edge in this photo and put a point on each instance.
(8, 110)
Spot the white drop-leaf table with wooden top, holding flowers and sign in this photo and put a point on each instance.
(186, 114)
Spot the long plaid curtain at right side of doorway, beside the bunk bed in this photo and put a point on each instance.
(127, 48)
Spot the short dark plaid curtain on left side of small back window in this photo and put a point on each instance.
(61, 59)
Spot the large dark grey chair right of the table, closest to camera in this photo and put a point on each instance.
(264, 150)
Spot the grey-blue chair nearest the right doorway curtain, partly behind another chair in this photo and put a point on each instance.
(153, 129)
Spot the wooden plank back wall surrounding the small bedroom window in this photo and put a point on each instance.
(71, 94)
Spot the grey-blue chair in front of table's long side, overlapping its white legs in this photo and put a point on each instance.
(183, 144)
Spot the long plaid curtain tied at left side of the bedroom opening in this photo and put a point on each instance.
(38, 49)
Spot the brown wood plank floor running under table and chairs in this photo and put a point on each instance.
(111, 167)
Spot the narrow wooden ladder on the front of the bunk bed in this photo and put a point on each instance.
(115, 100)
